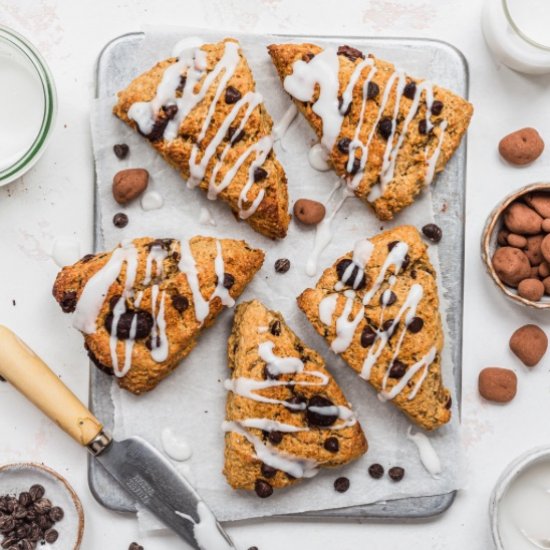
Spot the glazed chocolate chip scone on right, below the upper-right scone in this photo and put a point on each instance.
(379, 308)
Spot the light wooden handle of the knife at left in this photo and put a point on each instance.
(20, 366)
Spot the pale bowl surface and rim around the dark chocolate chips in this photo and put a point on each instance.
(15, 478)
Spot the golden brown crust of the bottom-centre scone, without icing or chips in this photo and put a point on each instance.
(241, 468)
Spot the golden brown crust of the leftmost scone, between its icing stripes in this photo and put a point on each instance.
(182, 326)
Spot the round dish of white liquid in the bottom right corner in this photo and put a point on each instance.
(520, 504)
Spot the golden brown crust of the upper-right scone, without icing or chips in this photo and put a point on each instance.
(411, 167)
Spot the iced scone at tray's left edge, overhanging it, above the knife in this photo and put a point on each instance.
(142, 306)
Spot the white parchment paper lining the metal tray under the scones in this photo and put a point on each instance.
(192, 399)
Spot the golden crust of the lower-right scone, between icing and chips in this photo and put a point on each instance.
(430, 408)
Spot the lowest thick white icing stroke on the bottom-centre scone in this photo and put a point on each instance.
(296, 467)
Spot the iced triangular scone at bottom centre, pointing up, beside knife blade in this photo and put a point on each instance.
(286, 415)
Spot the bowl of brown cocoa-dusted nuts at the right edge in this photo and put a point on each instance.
(515, 246)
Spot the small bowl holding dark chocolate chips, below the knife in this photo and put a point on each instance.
(38, 509)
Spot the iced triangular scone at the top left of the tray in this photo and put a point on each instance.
(201, 112)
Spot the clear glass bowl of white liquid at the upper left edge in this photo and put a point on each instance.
(28, 105)
